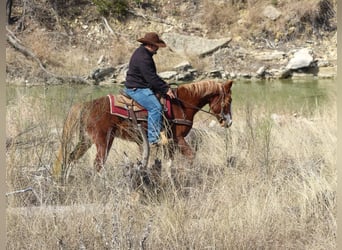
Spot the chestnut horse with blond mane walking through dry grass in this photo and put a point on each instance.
(95, 124)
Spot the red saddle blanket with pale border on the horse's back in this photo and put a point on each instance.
(120, 106)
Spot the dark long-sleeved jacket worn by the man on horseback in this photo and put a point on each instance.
(142, 72)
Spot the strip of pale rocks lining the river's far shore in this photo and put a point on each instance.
(308, 60)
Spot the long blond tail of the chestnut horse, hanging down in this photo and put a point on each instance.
(71, 127)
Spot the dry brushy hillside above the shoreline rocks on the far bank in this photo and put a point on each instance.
(70, 37)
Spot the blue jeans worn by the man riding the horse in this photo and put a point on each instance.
(146, 98)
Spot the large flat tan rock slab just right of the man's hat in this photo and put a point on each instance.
(193, 45)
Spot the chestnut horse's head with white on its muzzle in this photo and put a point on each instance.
(221, 105)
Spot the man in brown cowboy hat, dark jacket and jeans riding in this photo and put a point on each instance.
(142, 83)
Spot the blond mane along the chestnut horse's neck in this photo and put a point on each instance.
(202, 88)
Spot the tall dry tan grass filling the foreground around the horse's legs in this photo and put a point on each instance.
(266, 183)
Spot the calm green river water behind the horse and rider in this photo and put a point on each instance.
(275, 96)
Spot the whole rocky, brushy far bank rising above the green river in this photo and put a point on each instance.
(91, 49)
